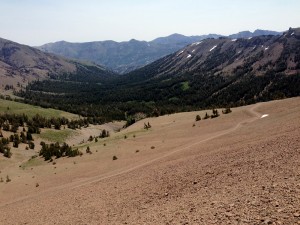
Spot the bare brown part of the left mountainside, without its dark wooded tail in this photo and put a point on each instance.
(22, 64)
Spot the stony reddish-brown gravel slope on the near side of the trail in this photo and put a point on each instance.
(248, 174)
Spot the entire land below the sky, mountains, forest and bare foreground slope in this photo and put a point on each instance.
(178, 130)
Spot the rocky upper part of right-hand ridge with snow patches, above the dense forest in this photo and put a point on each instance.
(228, 56)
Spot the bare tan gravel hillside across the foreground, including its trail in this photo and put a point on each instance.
(239, 168)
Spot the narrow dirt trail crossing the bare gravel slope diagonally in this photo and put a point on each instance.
(94, 179)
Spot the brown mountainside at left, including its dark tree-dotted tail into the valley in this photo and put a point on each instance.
(21, 64)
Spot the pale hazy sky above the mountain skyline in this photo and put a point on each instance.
(35, 22)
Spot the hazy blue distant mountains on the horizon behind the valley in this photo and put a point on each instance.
(123, 57)
